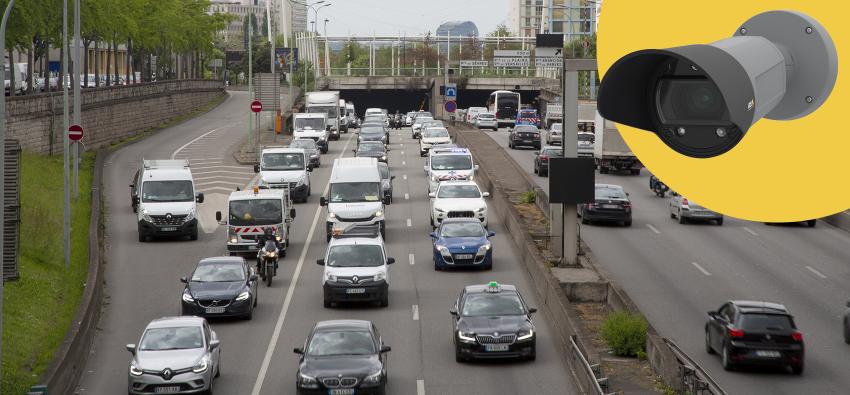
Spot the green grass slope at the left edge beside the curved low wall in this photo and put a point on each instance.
(40, 306)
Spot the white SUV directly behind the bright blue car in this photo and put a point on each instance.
(458, 199)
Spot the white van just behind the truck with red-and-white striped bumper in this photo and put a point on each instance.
(286, 168)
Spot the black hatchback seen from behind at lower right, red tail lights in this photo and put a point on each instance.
(754, 333)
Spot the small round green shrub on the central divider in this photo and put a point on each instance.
(625, 333)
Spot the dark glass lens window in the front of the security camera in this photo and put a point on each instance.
(684, 100)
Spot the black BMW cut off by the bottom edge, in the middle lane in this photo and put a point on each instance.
(342, 357)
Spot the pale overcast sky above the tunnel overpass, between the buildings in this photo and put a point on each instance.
(414, 17)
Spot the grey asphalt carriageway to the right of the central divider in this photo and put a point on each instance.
(677, 272)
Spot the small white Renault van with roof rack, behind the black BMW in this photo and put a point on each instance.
(356, 266)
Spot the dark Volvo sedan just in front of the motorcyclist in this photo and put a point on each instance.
(220, 287)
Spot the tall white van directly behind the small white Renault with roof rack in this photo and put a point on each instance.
(354, 196)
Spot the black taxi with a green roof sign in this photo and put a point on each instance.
(493, 321)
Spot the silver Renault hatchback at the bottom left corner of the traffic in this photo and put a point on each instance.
(176, 355)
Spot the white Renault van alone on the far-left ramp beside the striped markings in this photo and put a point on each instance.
(164, 199)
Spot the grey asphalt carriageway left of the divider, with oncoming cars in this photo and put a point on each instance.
(142, 279)
